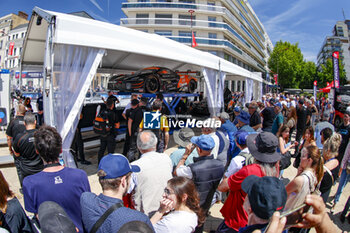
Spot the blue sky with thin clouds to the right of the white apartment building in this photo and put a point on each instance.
(306, 22)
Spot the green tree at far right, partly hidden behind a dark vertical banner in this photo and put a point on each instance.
(326, 74)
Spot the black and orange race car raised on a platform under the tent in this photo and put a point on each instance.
(154, 79)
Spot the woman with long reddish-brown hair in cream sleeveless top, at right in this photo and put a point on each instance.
(310, 173)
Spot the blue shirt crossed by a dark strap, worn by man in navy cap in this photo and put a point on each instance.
(93, 207)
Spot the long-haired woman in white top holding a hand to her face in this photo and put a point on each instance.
(179, 210)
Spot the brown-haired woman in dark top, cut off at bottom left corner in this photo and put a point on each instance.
(12, 216)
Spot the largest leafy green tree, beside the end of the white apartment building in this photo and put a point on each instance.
(287, 61)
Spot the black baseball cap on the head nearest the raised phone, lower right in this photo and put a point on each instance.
(266, 195)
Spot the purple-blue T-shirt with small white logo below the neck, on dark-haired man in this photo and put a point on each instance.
(63, 187)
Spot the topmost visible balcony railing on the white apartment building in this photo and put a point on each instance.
(177, 5)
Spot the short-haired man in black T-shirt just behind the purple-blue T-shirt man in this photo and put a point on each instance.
(24, 149)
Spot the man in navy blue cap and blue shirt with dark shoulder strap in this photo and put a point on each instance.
(114, 172)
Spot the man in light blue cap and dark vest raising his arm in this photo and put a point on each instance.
(206, 172)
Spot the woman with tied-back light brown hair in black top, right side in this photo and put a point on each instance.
(330, 152)
